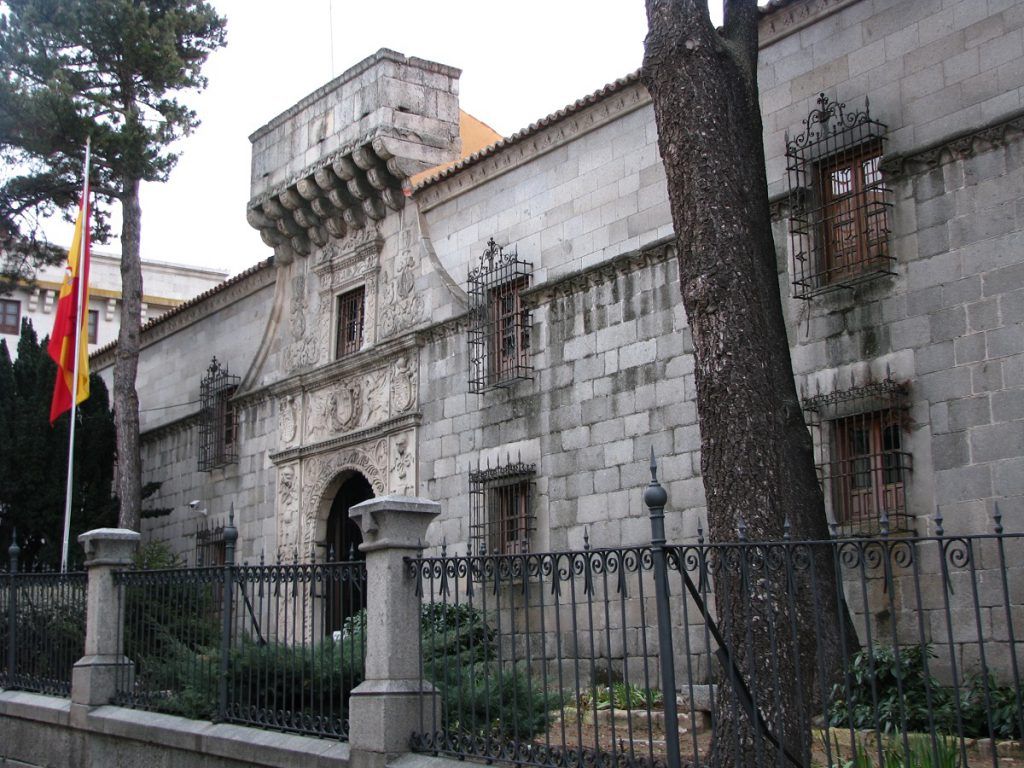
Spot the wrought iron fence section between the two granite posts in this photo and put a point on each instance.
(247, 645)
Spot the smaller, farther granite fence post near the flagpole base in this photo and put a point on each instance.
(95, 677)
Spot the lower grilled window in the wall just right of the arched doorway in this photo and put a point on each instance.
(501, 520)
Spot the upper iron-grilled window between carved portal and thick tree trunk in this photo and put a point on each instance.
(500, 323)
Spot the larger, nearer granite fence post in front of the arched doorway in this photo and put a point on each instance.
(387, 707)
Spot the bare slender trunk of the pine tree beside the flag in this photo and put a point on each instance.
(126, 364)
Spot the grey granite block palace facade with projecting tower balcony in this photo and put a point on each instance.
(501, 330)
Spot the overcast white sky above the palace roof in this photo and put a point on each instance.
(520, 61)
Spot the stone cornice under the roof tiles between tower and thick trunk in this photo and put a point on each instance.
(520, 153)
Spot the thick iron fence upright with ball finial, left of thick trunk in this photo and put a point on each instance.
(656, 498)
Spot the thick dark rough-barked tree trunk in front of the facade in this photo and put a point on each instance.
(757, 456)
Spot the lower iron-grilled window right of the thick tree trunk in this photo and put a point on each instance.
(863, 462)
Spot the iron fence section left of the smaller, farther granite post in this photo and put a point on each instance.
(42, 632)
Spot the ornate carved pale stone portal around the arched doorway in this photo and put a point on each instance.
(355, 414)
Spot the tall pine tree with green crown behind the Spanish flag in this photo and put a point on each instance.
(107, 70)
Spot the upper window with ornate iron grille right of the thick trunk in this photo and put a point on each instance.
(840, 202)
